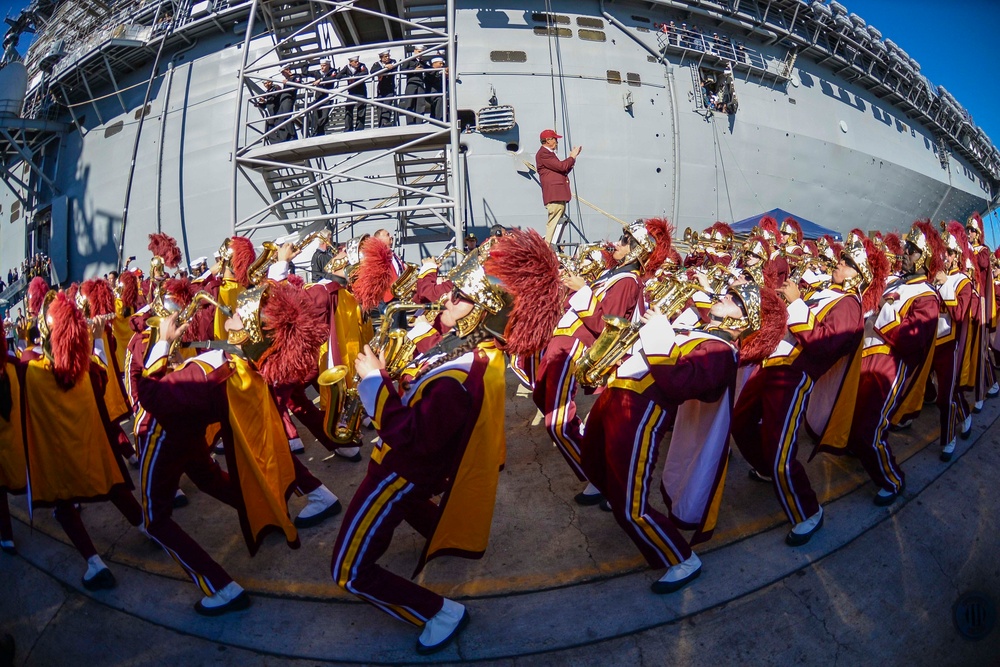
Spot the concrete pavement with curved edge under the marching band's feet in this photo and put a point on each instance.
(559, 584)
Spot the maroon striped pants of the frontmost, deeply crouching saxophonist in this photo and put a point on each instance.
(382, 502)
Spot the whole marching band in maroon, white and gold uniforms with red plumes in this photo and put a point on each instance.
(774, 339)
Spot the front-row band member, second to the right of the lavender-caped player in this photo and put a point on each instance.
(898, 350)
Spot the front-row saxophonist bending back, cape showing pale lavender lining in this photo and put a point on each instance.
(691, 373)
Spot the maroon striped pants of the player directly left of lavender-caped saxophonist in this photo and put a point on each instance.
(554, 395)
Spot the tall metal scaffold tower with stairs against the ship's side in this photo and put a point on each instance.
(348, 180)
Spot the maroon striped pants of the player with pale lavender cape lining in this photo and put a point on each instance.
(620, 449)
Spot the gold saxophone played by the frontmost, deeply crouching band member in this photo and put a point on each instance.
(343, 414)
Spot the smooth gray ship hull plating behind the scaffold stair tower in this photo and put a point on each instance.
(806, 141)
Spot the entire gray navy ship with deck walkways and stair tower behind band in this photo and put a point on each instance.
(158, 116)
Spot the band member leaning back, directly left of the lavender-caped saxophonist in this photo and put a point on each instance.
(617, 292)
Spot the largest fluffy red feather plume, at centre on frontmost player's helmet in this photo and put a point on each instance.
(528, 268)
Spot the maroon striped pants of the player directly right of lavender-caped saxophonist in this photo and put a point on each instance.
(766, 422)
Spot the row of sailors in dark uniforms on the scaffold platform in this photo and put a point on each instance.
(417, 85)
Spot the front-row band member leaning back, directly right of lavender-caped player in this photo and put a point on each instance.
(773, 403)
